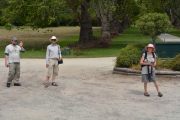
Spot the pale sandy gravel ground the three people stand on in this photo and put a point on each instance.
(87, 91)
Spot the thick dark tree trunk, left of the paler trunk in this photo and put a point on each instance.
(86, 33)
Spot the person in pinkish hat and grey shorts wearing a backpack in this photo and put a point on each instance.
(148, 64)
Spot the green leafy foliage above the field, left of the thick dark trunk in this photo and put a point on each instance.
(37, 13)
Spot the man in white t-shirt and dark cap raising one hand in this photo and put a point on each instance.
(12, 61)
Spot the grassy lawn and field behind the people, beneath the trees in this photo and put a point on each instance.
(38, 40)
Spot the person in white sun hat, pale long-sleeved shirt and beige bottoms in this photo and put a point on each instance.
(53, 54)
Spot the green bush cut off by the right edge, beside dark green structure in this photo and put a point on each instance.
(176, 63)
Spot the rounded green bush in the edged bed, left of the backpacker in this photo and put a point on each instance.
(128, 56)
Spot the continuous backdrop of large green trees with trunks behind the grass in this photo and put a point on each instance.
(113, 15)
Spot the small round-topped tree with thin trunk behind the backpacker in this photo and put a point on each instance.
(153, 24)
